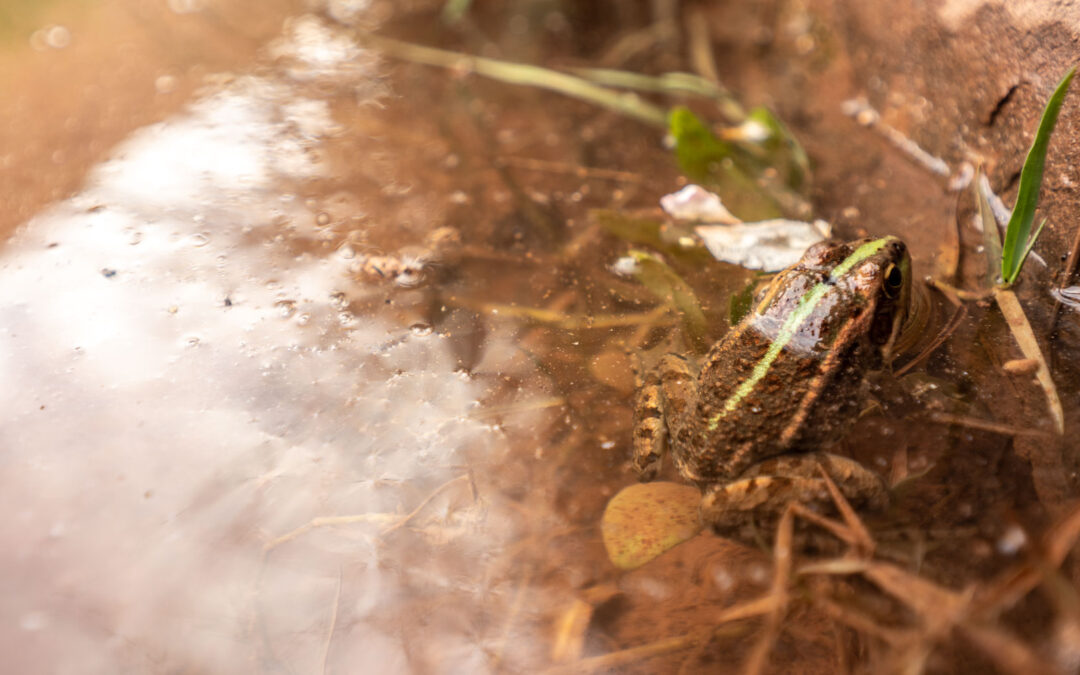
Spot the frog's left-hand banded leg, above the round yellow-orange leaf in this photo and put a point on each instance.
(661, 413)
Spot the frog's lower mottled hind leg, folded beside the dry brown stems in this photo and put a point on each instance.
(758, 498)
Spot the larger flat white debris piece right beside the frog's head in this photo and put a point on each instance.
(769, 246)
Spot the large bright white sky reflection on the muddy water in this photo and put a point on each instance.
(205, 467)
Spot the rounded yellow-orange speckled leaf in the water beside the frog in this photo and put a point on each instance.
(645, 520)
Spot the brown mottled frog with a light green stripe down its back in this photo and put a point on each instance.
(753, 425)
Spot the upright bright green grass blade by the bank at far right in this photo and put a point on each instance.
(1019, 241)
